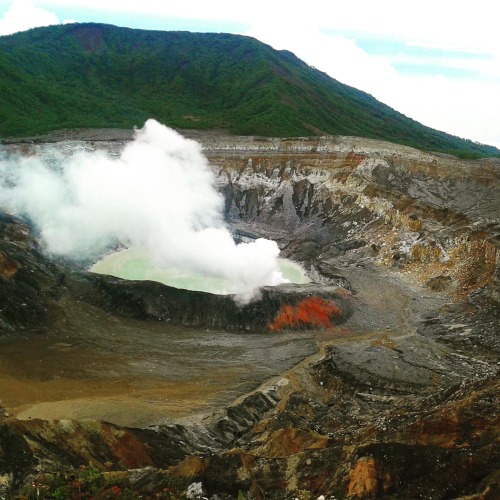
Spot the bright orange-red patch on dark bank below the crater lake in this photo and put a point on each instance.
(311, 312)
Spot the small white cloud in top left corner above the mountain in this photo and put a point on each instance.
(23, 15)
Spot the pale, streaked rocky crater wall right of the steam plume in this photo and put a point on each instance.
(433, 217)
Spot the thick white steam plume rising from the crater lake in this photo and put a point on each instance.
(160, 194)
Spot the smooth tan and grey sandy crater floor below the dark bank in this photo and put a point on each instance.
(137, 373)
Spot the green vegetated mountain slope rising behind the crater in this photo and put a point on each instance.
(94, 75)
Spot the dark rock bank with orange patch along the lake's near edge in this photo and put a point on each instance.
(306, 306)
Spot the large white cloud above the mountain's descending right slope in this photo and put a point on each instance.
(460, 106)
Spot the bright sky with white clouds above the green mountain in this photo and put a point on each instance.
(436, 61)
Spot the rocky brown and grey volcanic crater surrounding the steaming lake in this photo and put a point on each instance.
(368, 372)
